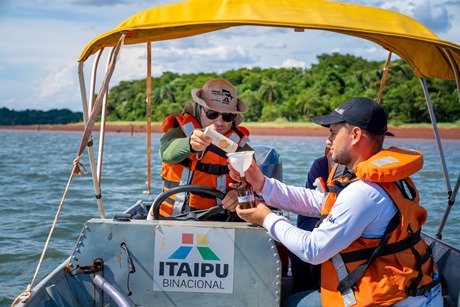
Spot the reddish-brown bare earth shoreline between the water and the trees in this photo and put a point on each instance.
(400, 132)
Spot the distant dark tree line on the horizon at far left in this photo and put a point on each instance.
(37, 117)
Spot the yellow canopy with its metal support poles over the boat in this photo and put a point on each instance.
(427, 55)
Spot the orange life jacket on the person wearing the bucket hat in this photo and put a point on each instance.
(211, 170)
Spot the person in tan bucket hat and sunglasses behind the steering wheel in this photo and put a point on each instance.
(187, 153)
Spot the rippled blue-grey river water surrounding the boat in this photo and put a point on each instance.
(35, 166)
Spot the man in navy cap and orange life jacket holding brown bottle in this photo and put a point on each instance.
(368, 239)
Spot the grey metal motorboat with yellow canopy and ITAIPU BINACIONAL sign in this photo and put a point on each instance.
(133, 260)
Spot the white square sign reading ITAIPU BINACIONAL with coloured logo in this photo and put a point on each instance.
(194, 260)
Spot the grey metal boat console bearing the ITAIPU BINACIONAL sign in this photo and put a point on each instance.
(184, 263)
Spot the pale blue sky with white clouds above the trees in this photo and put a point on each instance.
(42, 39)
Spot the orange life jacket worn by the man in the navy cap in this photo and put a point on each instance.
(384, 271)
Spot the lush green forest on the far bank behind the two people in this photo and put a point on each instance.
(295, 94)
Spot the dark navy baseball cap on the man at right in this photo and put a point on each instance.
(362, 112)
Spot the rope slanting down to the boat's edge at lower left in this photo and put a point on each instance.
(28, 292)
